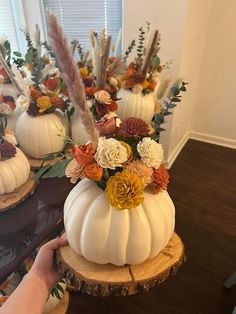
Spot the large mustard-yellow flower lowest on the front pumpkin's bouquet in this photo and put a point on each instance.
(124, 190)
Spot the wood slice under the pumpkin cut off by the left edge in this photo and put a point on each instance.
(10, 200)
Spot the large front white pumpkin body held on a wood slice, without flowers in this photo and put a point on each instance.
(103, 234)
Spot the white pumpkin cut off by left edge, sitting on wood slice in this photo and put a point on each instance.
(14, 172)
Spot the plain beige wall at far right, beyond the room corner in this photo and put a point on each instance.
(214, 116)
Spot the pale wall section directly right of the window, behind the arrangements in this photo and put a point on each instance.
(169, 17)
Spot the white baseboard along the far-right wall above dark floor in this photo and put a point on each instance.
(208, 138)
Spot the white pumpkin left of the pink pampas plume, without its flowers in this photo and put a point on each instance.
(38, 136)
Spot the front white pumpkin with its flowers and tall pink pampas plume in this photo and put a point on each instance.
(120, 211)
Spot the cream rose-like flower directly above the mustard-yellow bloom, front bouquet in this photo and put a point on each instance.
(110, 153)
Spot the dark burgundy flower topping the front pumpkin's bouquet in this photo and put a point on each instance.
(134, 127)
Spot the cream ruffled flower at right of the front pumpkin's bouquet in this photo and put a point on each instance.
(151, 153)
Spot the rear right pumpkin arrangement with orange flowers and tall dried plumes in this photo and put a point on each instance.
(141, 79)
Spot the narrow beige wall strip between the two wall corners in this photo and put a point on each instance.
(192, 56)
